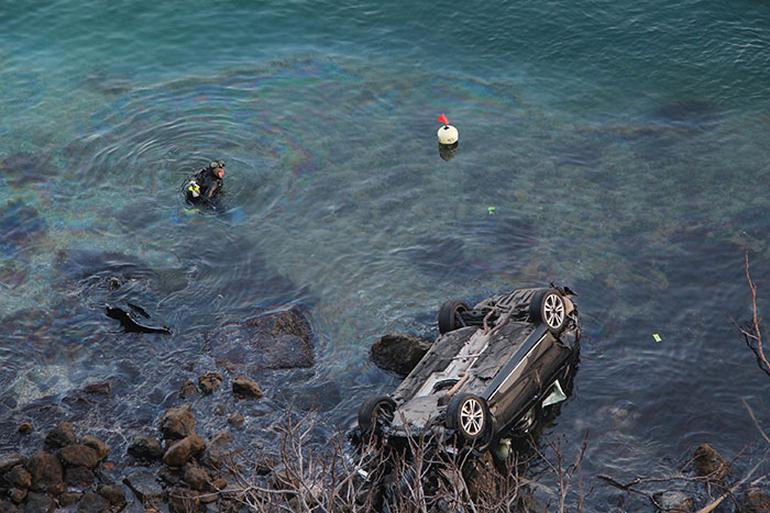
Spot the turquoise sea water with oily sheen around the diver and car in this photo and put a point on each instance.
(624, 146)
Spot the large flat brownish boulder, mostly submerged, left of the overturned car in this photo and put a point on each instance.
(281, 340)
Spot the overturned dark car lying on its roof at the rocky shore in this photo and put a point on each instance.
(489, 374)
